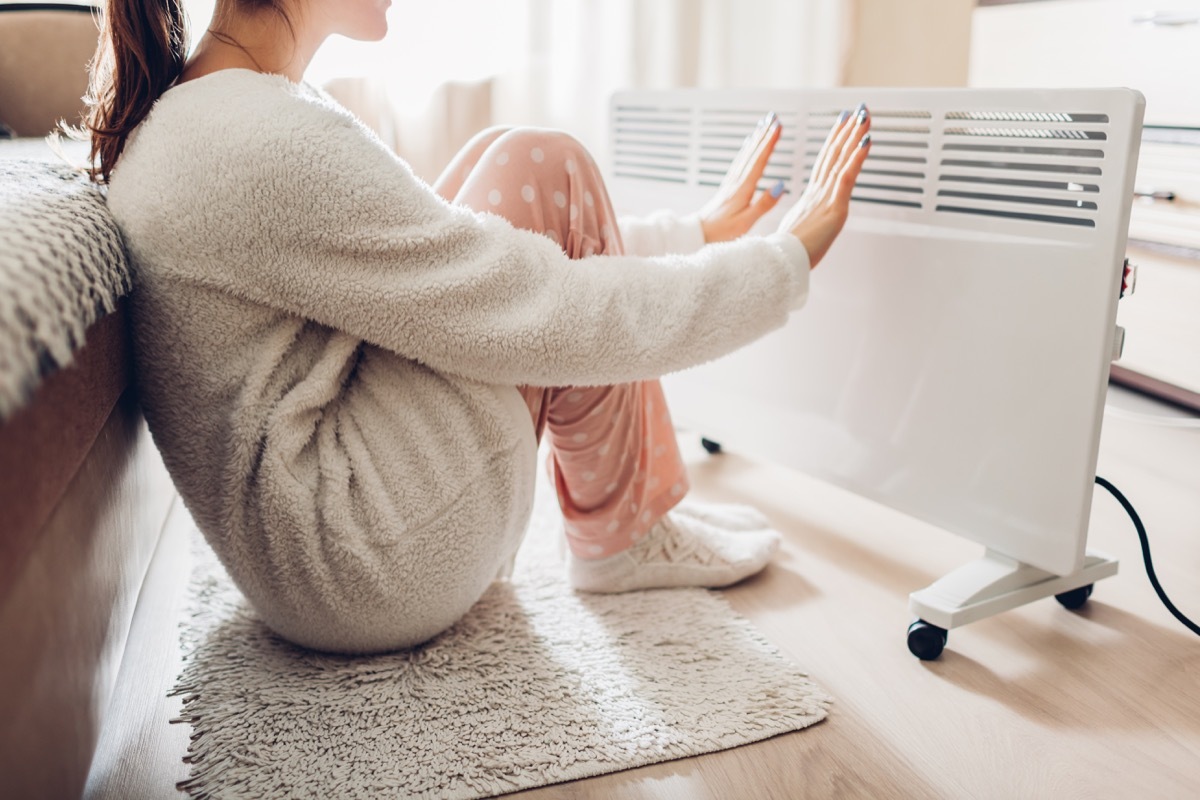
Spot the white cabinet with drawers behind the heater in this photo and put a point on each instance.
(1153, 46)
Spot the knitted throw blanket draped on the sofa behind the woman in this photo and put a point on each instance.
(63, 267)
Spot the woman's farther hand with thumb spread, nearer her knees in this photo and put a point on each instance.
(735, 209)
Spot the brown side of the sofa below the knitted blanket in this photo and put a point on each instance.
(83, 502)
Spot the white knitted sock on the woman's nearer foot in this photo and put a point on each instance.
(679, 551)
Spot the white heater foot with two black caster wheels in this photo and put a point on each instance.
(992, 585)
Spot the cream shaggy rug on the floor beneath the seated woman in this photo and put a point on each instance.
(537, 685)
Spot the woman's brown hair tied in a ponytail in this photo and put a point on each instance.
(143, 49)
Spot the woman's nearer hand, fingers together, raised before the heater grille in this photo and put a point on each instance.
(819, 216)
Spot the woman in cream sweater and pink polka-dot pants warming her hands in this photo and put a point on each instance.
(349, 372)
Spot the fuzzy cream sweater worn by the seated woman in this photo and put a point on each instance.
(328, 353)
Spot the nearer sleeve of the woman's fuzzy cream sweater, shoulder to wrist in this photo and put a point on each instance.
(325, 222)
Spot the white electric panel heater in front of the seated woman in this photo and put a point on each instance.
(953, 356)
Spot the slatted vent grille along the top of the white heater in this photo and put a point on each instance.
(1029, 167)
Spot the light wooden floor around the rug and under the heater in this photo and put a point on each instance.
(1035, 703)
